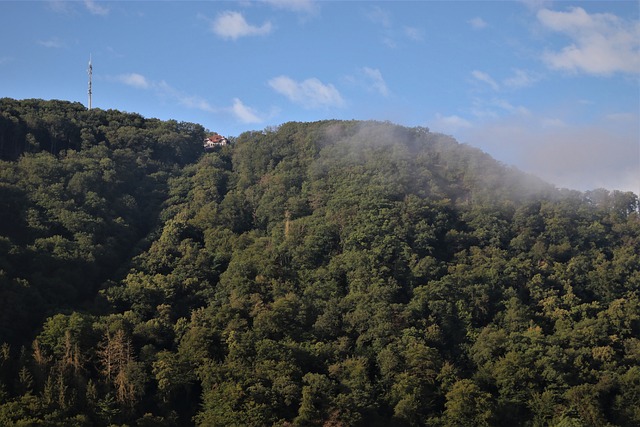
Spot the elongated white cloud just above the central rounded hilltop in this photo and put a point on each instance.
(310, 93)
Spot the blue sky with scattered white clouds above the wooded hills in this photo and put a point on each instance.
(550, 87)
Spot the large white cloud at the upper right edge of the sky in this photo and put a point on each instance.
(601, 43)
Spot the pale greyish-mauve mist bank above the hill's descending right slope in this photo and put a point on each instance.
(604, 154)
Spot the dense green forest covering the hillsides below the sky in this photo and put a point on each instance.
(336, 273)
